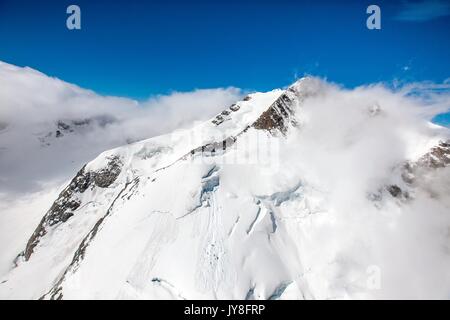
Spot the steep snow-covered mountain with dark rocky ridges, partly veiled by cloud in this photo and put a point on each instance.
(311, 192)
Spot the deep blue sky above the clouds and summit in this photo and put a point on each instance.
(142, 48)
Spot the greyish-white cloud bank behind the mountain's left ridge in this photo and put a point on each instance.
(31, 104)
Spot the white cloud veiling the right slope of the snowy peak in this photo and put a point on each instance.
(349, 145)
